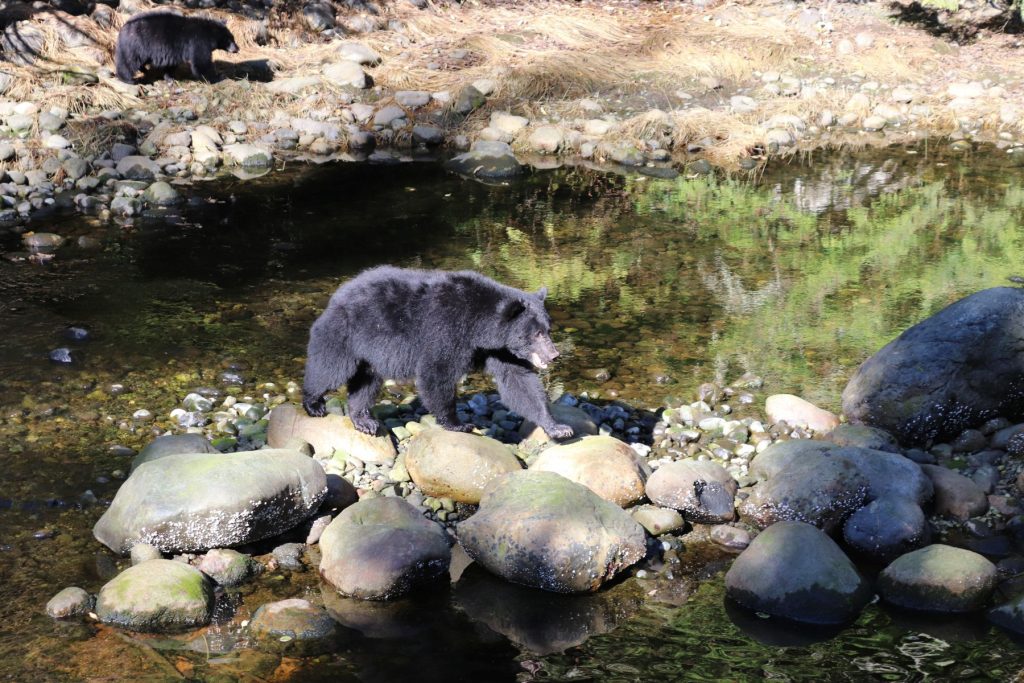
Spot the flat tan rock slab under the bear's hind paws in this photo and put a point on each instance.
(328, 435)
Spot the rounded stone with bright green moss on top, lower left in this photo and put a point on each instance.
(159, 595)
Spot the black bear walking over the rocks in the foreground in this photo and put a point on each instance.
(433, 326)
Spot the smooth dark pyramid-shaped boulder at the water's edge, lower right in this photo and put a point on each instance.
(795, 571)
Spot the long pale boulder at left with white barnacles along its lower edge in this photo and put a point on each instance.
(193, 502)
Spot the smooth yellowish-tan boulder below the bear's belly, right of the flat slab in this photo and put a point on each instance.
(447, 464)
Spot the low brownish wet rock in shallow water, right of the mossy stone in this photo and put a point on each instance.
(293, 627)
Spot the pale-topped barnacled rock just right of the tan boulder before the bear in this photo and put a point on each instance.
(703, 491)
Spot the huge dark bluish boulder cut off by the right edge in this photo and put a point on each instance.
(954, 371)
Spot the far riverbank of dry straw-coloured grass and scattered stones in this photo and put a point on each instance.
(675, 88)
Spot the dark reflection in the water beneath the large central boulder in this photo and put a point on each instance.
(540, 622)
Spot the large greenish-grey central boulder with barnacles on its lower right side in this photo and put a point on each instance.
(541, 530)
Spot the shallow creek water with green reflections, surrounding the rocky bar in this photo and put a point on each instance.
(796, 275)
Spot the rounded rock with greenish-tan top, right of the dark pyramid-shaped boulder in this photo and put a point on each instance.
(941, 579)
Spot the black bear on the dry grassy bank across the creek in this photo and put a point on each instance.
(164, 40)
